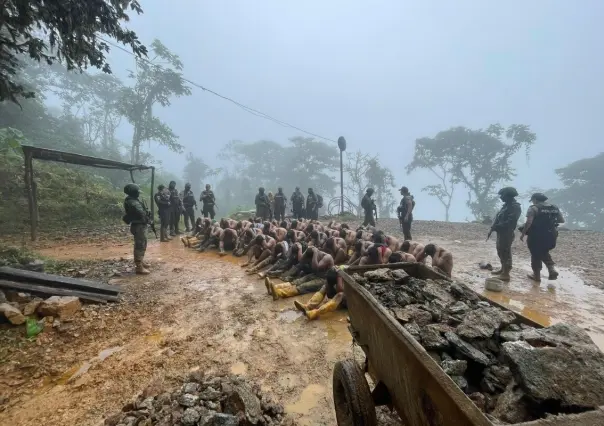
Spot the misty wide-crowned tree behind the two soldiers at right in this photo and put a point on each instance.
(479, 159)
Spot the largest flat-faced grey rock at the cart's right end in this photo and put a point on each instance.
(571, 377)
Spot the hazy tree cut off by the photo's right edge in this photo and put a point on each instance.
(582, 197)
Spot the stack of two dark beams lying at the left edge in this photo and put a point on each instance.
(55, 285)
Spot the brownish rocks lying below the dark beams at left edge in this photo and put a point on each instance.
(15, 307)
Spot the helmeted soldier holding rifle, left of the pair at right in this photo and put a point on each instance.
(505, 224)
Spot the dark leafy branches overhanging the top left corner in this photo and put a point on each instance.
(63, 31)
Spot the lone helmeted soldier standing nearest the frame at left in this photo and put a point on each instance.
(137, 216)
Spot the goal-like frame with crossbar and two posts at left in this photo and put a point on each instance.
(31, 152)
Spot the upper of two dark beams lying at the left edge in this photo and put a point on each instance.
(57, 281)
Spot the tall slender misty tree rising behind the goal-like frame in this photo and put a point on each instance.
(156, 82)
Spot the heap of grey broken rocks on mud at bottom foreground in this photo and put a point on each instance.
(203, 401)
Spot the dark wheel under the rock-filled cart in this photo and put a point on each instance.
(351, 396)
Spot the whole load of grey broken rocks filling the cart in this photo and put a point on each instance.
(512, 371)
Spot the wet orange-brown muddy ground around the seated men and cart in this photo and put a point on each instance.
(202, 312)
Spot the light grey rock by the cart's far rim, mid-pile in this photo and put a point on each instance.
(481, 323)
